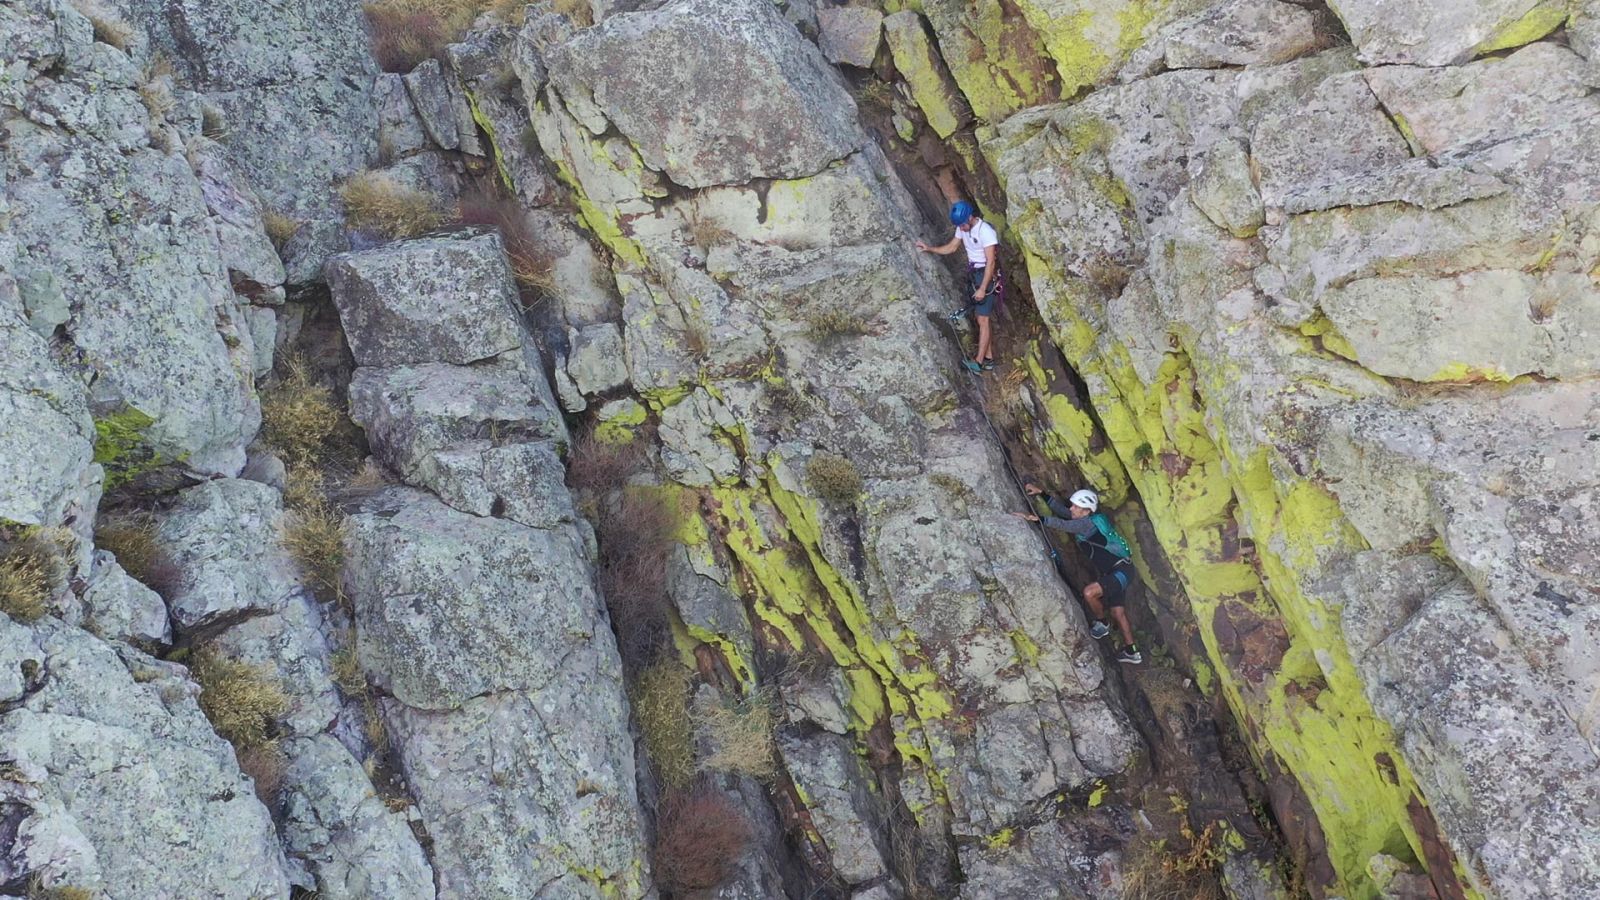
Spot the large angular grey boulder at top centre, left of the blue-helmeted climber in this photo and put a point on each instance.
(751, 100)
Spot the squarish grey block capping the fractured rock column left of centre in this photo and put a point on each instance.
(434, 300)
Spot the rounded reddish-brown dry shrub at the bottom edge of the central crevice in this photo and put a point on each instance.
(700, 838)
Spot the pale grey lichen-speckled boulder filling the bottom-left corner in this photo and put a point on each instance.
(114, 781)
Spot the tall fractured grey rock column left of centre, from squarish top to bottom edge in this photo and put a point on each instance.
(473, 590)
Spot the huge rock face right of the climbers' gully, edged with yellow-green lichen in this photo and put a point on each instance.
(1297, 335)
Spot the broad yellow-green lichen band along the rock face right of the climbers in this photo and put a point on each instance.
(1311, 715)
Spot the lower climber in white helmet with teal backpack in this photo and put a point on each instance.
(1108, 553)
